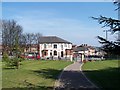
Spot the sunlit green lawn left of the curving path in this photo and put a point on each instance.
(39, 75)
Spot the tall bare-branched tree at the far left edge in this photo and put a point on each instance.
(11, 34)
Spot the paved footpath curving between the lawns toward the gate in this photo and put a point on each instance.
(72, 78)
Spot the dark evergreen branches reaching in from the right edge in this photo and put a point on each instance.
(110, 47)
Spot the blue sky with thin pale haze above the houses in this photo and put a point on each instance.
(70, 21)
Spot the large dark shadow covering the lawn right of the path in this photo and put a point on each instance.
(106, 79)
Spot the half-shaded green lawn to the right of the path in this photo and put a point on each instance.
(105, 74)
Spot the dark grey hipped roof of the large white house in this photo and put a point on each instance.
(52, 39)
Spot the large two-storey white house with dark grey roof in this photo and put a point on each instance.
(52, 47)
